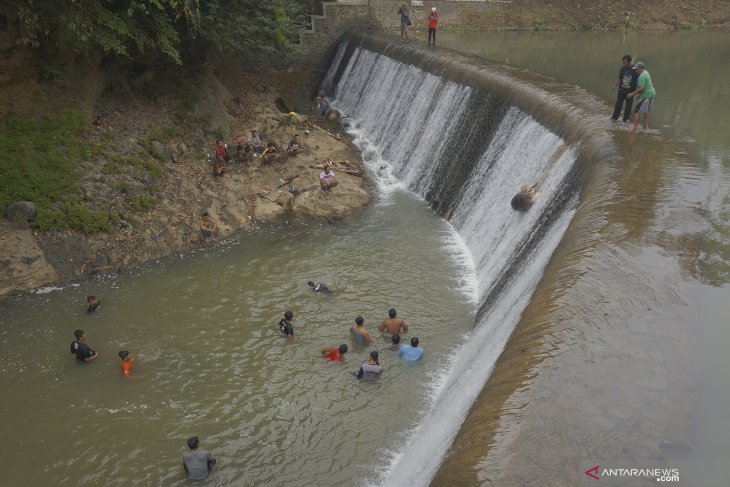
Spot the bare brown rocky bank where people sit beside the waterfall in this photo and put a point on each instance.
(249, 192)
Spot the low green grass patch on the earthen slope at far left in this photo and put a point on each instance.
(39, 163)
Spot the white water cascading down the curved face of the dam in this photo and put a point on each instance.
(467, 153)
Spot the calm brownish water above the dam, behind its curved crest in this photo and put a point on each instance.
(616, 361)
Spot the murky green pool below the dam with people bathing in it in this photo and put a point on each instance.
(270, 409)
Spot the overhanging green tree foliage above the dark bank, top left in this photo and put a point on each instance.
(130, 27)
